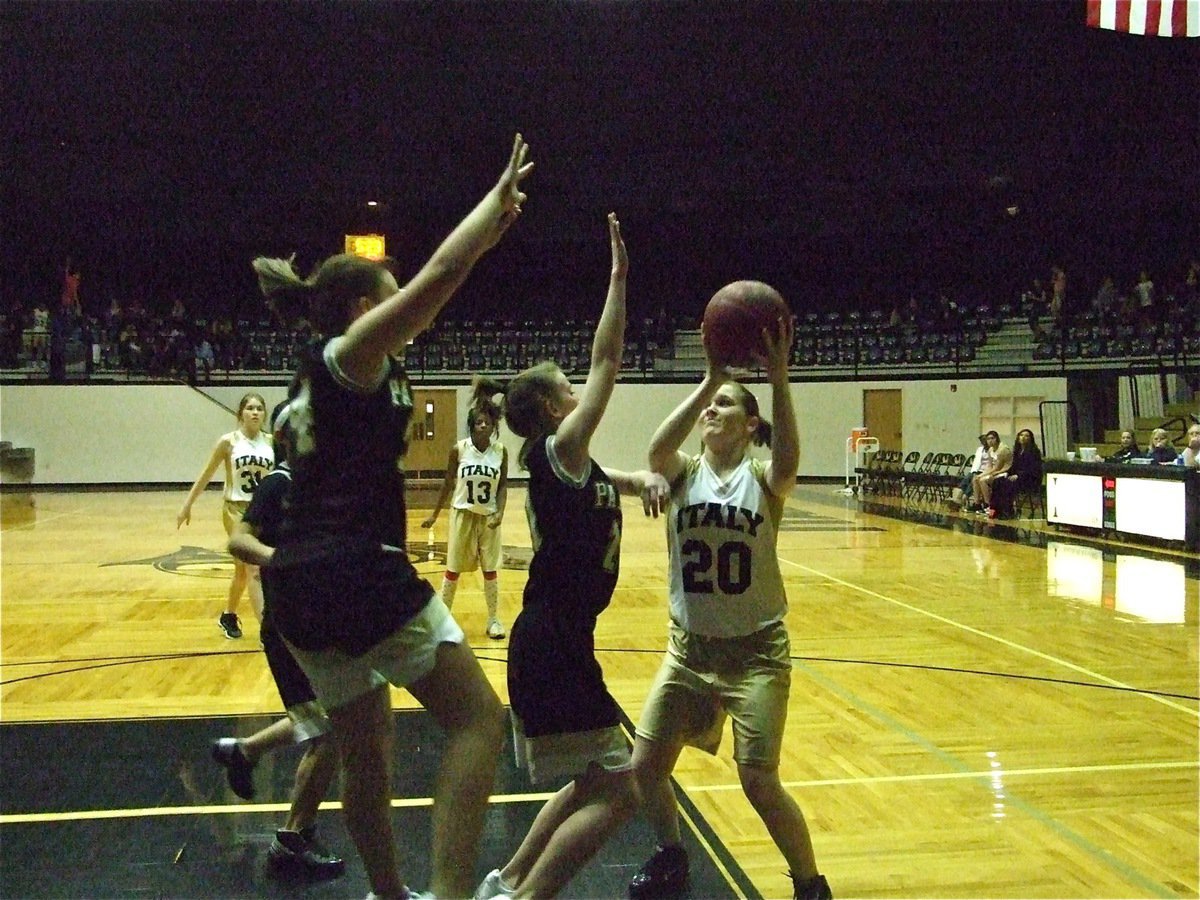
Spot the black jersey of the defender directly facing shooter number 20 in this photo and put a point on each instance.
(577, 535)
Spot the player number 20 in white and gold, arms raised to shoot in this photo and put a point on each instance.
(729, 653)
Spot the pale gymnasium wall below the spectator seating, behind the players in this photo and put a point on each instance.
(165, 434)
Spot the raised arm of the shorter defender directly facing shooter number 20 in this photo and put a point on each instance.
(575, 433)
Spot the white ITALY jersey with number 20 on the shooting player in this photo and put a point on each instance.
(725, 579)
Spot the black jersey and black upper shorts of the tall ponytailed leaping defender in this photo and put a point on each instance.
(340, 574)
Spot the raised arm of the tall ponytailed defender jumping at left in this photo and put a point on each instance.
(392, 325)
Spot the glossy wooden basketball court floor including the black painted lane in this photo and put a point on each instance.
(979, 711)
